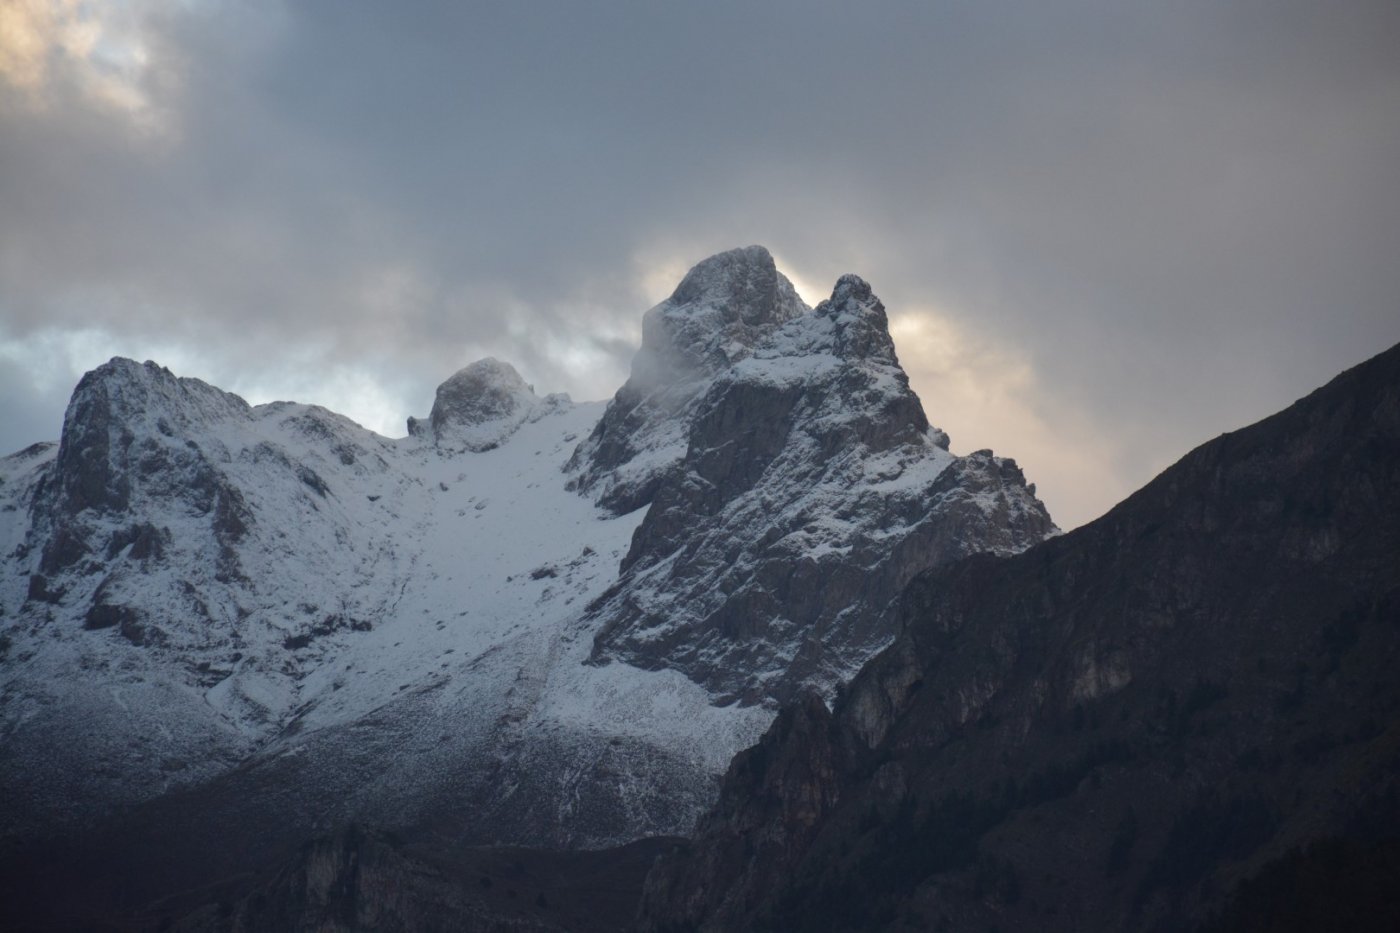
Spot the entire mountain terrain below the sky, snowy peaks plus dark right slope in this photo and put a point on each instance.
(745, 648)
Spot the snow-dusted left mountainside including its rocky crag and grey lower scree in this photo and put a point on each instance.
(198, 593)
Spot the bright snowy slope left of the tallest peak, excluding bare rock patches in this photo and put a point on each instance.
(366, 572)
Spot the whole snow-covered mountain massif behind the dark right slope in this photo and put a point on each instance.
(530, 620)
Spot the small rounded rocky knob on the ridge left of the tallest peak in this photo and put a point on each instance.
(478, 407)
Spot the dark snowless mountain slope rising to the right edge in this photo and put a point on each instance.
(1181, 717)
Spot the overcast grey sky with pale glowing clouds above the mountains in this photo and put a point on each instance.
(1104, 237)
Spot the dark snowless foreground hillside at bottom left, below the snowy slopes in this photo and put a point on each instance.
(353, 879)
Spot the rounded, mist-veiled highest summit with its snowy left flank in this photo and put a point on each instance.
(719, 313)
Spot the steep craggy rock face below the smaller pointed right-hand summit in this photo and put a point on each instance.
(810, 491)
